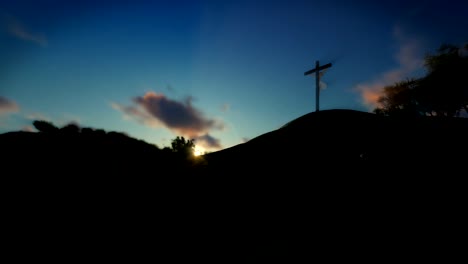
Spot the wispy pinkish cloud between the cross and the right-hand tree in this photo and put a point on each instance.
(409, 59)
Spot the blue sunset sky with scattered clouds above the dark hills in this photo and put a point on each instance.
(218, 72)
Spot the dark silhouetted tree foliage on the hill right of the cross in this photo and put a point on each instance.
(442, 92)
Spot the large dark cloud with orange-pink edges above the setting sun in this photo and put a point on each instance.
(181, 117)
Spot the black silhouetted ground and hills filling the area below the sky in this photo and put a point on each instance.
(330, 186)
